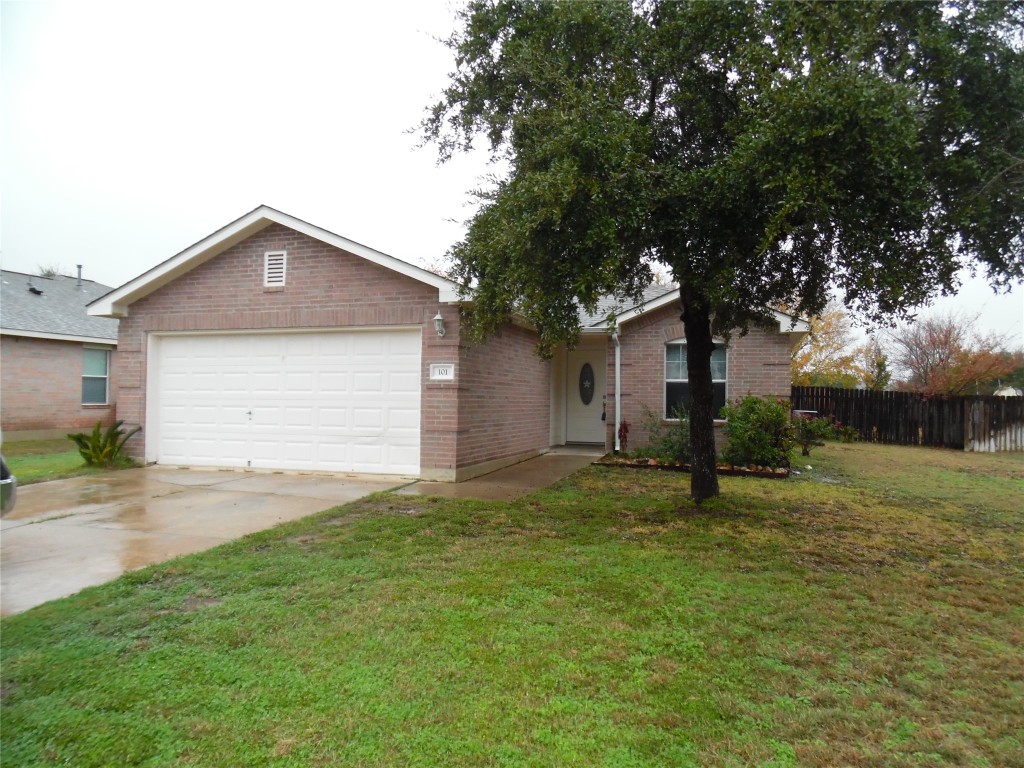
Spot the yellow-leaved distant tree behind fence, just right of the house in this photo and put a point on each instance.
(827, 358)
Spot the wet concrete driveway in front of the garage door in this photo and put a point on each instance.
(68, 535)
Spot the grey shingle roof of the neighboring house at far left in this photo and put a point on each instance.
(57, 312)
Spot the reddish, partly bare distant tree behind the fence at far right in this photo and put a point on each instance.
(944, 356)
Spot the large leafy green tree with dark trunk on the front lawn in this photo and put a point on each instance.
(763, 153)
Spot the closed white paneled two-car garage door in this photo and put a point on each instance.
(342, 402)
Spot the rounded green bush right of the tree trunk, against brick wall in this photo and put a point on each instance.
(760, 433)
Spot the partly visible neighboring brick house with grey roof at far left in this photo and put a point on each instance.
(57, 367)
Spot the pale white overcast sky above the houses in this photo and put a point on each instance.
(132, 131)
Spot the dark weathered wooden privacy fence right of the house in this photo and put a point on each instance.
(979, 423)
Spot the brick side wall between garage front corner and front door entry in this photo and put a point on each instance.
(504, 399)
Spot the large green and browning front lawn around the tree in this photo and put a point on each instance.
(868, 613)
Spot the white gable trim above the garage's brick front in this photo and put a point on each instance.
(116, 304)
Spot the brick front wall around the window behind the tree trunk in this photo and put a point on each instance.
(758, 364)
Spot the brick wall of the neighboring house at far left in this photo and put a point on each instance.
(41, 387)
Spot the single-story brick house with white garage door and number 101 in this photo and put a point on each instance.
(276, 345)
